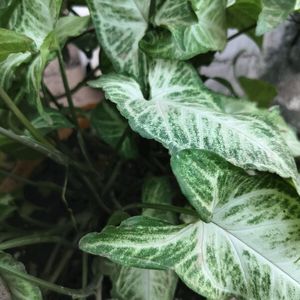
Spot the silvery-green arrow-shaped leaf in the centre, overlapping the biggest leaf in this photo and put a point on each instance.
(182, 113)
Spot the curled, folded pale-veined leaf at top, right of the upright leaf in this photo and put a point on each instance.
(187, 40)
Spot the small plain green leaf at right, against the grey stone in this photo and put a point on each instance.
(258, 91)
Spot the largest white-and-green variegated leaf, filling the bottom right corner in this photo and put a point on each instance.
(250, 249)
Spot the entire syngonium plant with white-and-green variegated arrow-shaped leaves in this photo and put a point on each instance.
(229, 166)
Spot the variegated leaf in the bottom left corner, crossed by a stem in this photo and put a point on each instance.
(20, 289)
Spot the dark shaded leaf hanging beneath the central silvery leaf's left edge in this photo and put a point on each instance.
(110, 126)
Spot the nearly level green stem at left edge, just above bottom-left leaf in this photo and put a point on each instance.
(28, 240)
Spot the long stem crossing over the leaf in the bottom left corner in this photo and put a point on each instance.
(49, 286)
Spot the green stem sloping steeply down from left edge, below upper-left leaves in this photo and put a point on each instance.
(21, 117)
